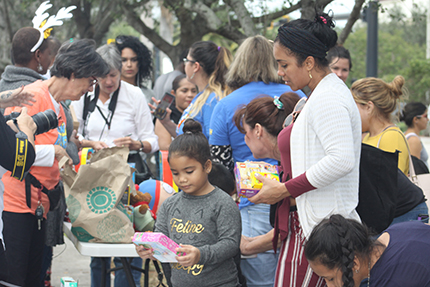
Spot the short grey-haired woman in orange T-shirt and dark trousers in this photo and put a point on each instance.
(26, 203)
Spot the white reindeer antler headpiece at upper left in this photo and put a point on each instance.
(44, 24)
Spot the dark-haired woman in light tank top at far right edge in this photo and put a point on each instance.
(415, 116)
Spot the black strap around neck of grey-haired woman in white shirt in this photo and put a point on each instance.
(90, 105)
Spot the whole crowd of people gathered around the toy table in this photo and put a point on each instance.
(303, 230)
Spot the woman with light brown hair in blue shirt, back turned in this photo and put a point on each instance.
(251, 74)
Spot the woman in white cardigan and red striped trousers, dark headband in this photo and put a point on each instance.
(320, 152)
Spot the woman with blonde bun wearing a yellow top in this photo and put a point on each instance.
(377, 100)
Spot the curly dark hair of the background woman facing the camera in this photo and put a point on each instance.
(144, 56)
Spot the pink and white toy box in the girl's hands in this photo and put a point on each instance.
(164, 247)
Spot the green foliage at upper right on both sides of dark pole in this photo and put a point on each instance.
(401, 51)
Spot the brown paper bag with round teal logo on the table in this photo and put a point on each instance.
(93, 197)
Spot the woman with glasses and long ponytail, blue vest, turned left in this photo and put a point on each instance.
(205, 66)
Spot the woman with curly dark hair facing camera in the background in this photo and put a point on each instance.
(136, 63)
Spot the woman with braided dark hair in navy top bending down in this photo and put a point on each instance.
(344, 253)
